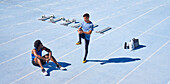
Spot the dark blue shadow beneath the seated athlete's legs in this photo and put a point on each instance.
(52, 66)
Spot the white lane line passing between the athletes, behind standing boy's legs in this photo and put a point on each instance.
(106, 33)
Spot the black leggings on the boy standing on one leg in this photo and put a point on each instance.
(86, 44)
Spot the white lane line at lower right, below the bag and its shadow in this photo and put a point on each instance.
(142, 63)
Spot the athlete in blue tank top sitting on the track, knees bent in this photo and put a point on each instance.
(39, 60)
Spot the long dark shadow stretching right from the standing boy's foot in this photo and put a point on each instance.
(115, 60)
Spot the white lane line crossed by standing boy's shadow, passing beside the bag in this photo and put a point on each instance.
(115, 51)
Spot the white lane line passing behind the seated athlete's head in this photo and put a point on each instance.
(30, 50)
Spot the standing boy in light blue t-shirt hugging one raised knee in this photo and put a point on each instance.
(85, 31)
